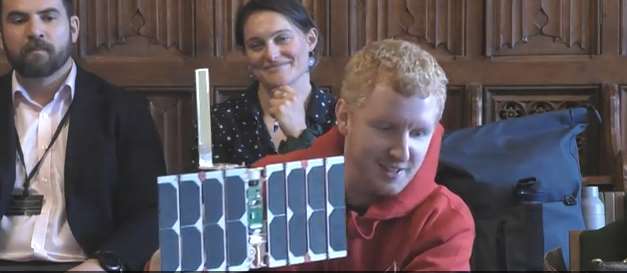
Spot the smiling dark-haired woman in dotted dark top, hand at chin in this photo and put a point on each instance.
(282, 110)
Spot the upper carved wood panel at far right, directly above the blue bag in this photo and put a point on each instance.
(541, 27)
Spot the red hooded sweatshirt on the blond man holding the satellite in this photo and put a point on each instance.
(425, 227)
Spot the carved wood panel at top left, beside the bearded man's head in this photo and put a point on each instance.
(137, 28)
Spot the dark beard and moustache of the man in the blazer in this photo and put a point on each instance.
(31, 67)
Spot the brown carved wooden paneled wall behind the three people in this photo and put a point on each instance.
(504, 58)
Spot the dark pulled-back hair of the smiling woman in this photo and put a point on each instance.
(293, 10)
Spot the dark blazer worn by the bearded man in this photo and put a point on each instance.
(113, 158)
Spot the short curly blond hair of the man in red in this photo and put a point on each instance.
(407, 68)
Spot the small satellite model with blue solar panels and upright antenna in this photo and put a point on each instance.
(234, 218)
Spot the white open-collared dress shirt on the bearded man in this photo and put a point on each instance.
(44, 237)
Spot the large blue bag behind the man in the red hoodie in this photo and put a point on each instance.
(521, 179)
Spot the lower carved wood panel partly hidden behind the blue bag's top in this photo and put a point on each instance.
(511, 102)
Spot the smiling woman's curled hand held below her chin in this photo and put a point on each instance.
(289, 110)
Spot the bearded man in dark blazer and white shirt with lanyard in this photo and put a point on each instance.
(78, 157)
